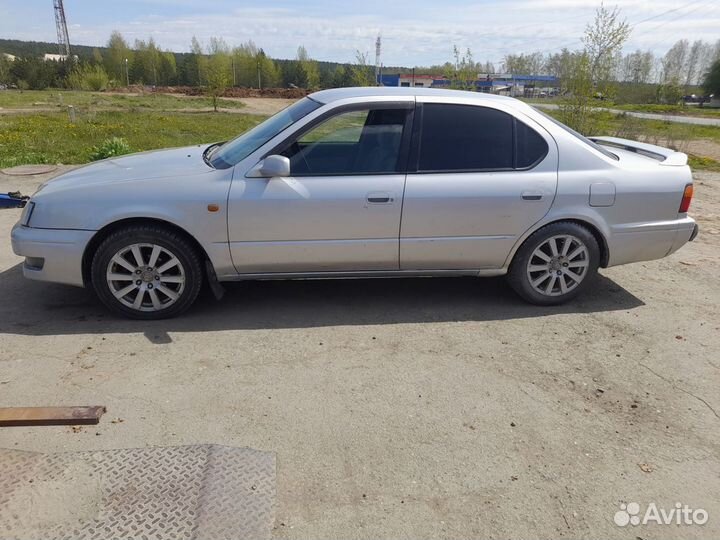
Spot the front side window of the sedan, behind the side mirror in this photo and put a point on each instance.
(363, 141)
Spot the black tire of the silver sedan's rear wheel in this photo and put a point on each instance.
(521, 278)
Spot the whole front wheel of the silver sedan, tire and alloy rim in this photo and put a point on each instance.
(146, 272)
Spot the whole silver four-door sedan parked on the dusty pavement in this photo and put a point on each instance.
(361, 182)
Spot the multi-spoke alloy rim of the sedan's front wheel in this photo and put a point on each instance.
(145, 277)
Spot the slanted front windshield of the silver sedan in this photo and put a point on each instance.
(234, 151)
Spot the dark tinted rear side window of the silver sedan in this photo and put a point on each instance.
(472, 138)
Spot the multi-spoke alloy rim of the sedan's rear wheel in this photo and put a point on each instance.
(558, 265)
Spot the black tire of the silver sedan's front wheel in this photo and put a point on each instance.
(188, 269)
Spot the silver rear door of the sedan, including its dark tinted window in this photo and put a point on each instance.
(481, 177)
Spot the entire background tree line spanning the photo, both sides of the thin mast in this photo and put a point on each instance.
(598, 68)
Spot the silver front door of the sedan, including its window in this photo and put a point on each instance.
(339, 210)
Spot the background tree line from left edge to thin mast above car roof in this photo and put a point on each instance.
(144, 62)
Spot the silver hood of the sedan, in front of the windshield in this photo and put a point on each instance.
(184, 161)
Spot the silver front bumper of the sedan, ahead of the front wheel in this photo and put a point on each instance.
(51, 254)
